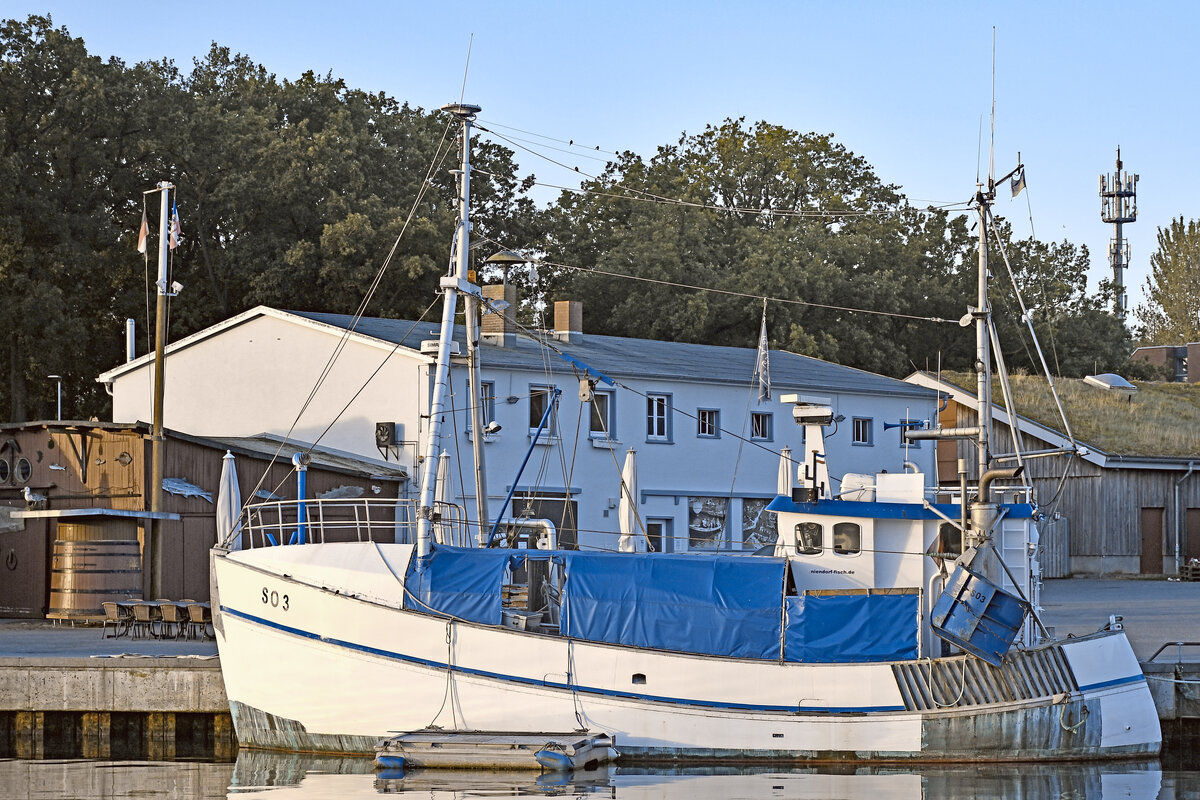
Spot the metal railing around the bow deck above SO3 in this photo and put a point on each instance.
(347, 520)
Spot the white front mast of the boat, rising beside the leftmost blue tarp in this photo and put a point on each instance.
(452, 286)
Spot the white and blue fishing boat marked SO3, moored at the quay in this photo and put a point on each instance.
(884, 627)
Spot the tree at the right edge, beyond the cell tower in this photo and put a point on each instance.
(1172, 315)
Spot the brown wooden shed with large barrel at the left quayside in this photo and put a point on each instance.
(75, 513)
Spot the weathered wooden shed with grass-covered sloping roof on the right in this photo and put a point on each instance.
(1109, 508)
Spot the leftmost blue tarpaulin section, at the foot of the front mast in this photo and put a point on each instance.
(459, 582)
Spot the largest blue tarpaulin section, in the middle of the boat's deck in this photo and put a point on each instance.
(710, 605)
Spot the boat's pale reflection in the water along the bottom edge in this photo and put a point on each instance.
(309, 778)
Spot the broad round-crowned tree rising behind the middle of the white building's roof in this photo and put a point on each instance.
(759, 212)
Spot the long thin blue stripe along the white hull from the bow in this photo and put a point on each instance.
(548, 684)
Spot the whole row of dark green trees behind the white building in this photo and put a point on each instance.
(292, 194)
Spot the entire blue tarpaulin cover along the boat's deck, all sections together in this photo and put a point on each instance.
(711, 605)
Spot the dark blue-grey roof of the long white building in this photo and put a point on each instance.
(644, 359)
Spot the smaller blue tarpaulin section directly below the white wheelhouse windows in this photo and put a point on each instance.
(830, 629)
